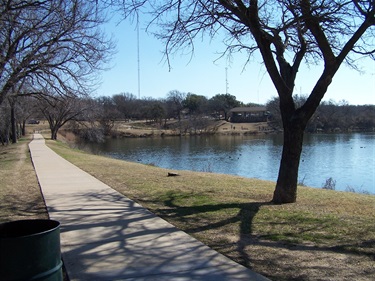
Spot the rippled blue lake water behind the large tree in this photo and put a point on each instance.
(349, 159)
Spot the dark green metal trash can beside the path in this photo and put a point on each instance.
(30, 250)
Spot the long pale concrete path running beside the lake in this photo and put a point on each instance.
(106, 236)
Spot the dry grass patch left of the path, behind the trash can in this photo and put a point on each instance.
(20, 196)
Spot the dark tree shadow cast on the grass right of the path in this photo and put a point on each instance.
(247, 238)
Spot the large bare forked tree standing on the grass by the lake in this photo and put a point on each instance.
(287, 33)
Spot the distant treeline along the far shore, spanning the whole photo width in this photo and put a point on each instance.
(191, 112)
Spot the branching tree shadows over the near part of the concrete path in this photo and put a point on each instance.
(108, 233)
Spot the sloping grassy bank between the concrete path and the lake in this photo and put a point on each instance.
(325, 235)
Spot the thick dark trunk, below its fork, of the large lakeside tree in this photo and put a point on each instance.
(286, 186)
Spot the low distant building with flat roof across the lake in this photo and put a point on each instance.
(248, 114)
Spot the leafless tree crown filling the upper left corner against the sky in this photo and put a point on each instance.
(54, 44)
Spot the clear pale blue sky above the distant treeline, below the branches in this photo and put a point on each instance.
(203, 74)
